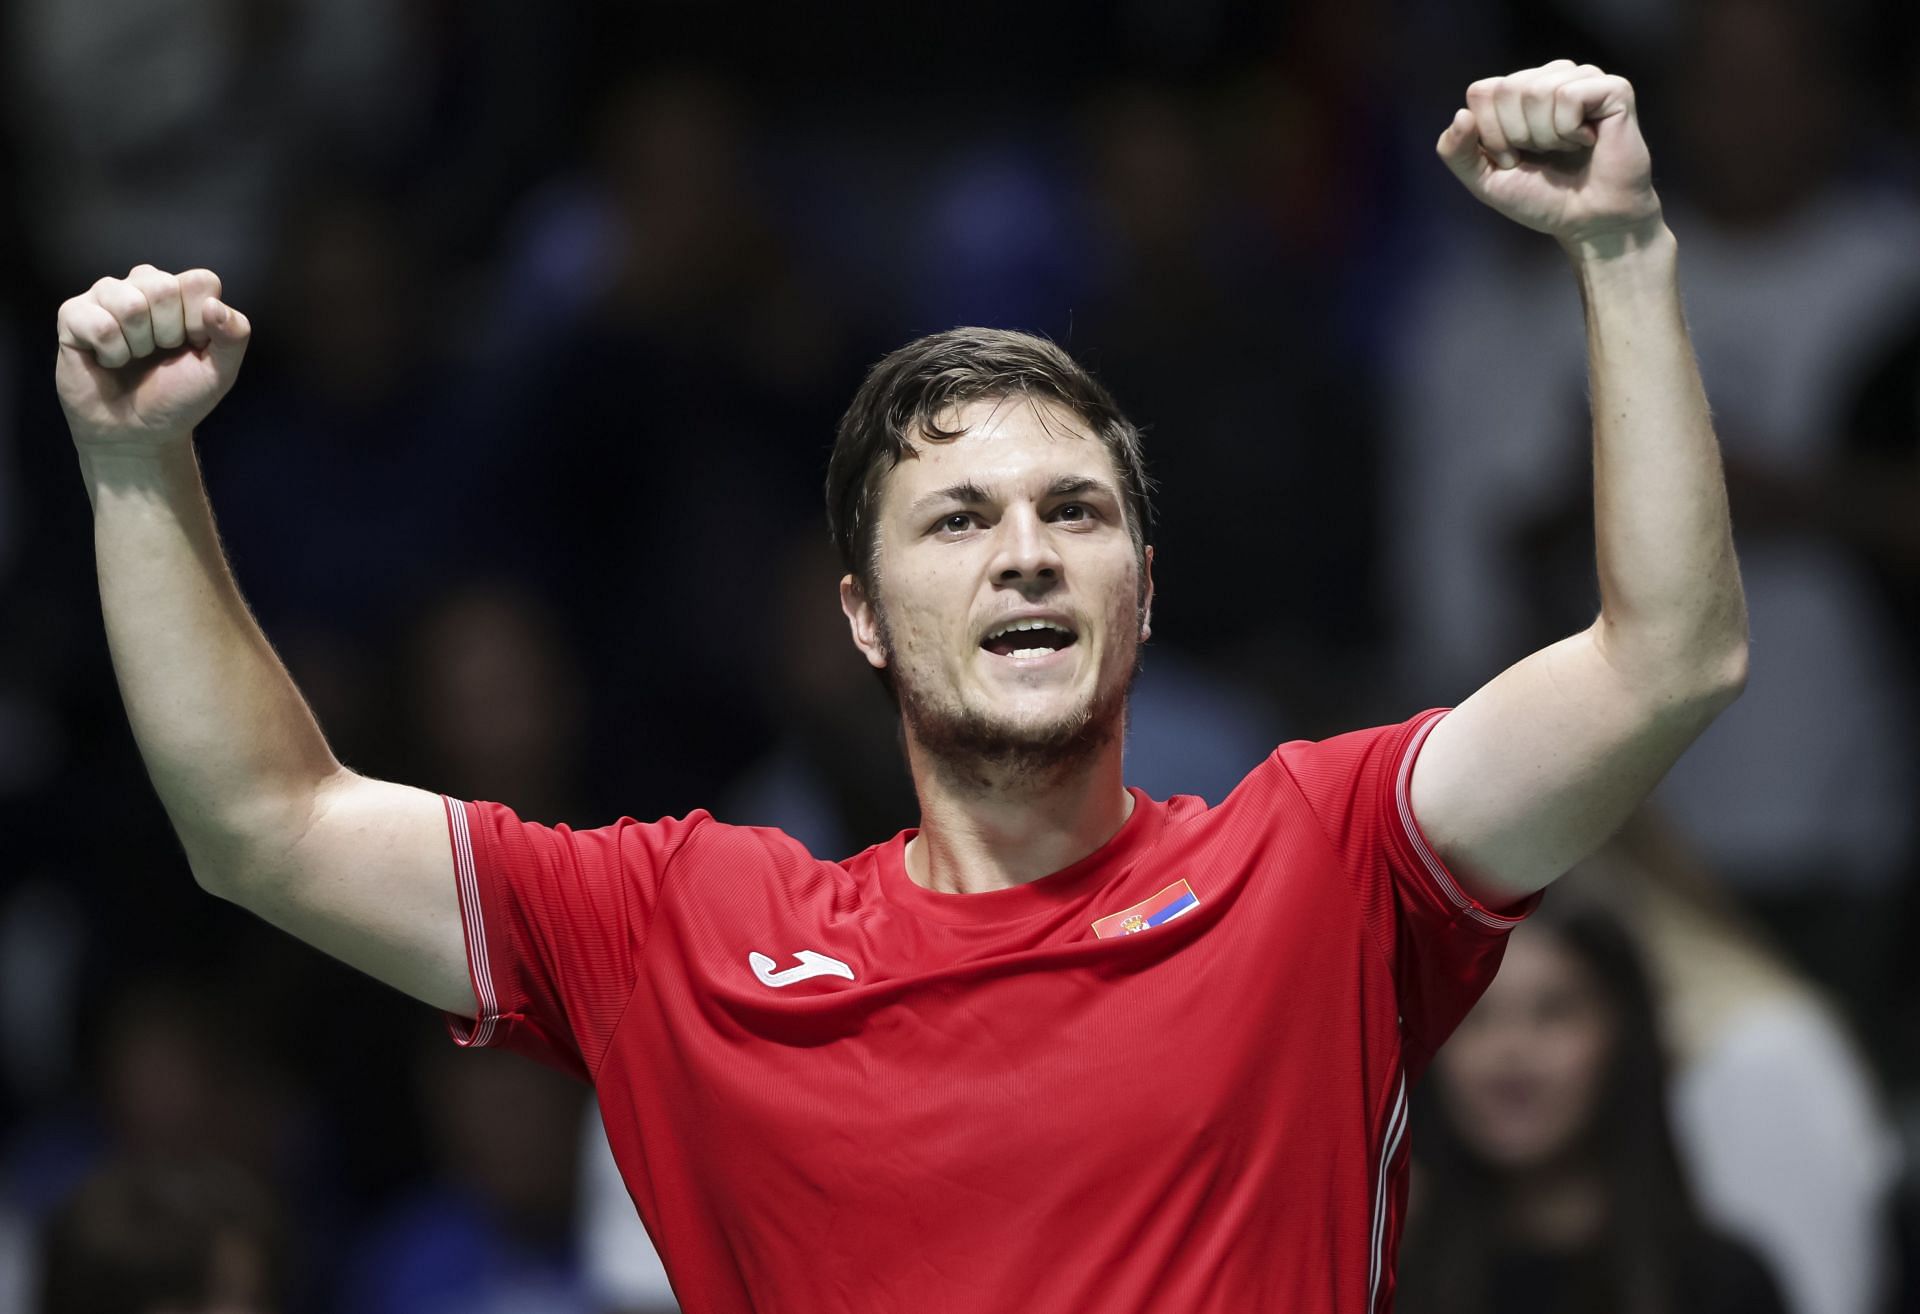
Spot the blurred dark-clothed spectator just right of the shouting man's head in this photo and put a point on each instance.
(1224, 339)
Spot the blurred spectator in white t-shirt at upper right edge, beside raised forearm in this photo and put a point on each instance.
(1800, 270)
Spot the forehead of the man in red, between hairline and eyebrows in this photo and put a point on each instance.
(1007, 447)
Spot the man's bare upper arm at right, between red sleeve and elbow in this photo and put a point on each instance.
(1543, 764)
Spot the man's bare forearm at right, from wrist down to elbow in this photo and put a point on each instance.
(1673, 614)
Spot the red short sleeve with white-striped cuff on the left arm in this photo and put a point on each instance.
(556, 921)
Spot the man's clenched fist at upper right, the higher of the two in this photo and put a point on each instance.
(1560, 151)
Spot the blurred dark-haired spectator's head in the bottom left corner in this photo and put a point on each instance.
(162, 1236)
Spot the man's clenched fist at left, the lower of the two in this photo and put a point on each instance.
(145, 358)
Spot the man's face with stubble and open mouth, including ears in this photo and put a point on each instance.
(1019, 522)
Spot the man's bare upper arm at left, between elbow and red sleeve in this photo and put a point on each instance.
(372, 883)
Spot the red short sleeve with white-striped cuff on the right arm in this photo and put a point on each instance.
(1441, 942)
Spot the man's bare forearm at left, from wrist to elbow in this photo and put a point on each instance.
(233, 750)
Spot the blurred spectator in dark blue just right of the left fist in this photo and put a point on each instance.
(377, 429)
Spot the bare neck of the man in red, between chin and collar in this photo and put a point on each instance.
(994, 827)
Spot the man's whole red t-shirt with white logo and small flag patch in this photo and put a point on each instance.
(1172, 1077)
